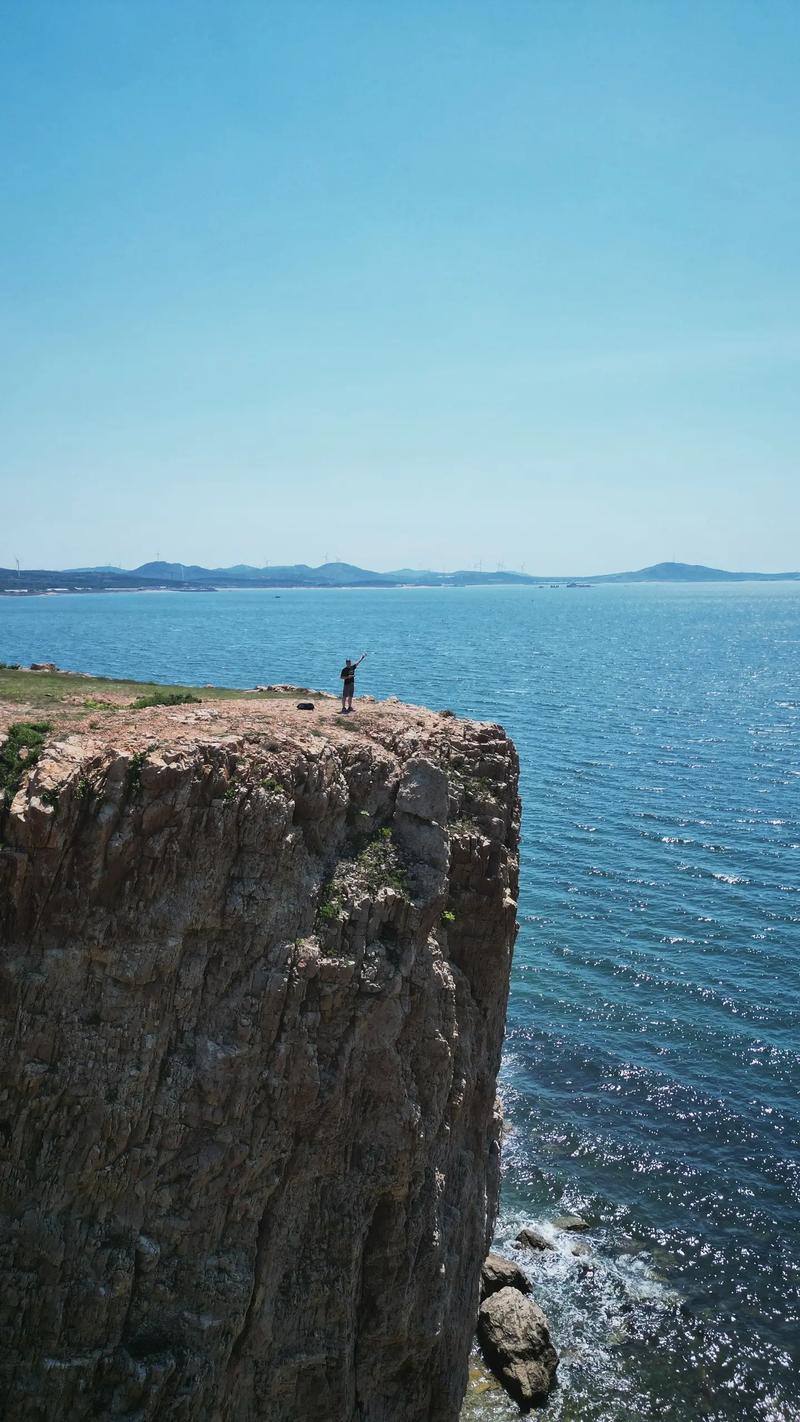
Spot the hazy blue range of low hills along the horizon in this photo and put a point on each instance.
(193, 578)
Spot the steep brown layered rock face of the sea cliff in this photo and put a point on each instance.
(254, 986)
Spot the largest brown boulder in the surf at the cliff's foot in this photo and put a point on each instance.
(515, 1340)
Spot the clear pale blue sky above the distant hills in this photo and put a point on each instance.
(410, 285)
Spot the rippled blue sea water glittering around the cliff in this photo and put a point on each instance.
(652, 1067)
